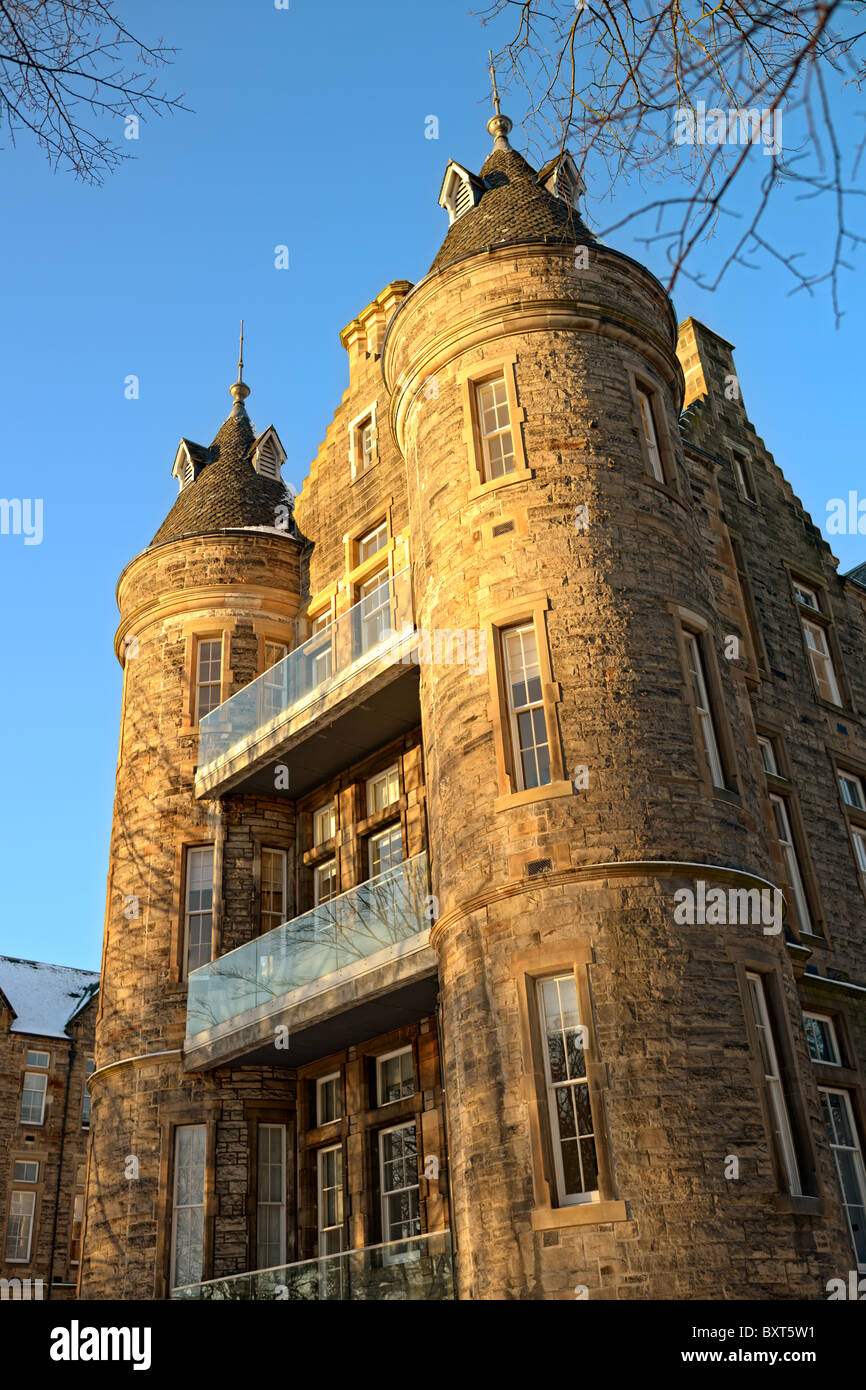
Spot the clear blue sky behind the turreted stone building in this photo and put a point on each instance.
(307, 130)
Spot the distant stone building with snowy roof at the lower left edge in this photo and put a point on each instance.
(48, 1020)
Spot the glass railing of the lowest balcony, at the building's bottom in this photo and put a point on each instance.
(411, 1271)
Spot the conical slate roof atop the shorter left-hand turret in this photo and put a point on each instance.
(227, 491)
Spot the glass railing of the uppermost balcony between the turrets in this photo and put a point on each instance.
(362, 636)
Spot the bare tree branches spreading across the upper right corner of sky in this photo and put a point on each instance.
(625, 81)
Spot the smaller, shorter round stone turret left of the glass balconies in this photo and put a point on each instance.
(231, 587)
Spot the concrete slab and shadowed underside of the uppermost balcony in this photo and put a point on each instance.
(325, 737)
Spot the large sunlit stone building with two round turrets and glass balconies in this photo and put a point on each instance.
(458, 807)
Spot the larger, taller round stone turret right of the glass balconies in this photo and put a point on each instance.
(572, 792)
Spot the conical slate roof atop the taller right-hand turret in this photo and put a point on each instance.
(515, 209)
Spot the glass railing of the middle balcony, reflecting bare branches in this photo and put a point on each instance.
(377, 914)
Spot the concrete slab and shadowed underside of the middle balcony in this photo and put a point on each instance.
(375, 996)
